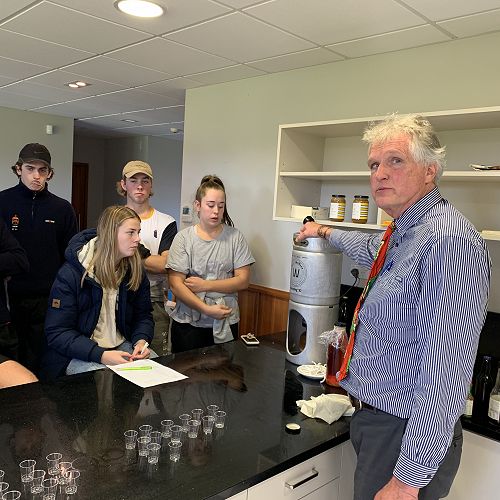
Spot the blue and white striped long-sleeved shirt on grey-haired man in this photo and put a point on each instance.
(419, 327)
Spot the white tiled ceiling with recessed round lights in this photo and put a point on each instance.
(139, 69)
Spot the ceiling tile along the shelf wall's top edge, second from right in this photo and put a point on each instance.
(389, 42)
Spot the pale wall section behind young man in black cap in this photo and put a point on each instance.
(20, 128)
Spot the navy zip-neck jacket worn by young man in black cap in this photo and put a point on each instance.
(43, 223)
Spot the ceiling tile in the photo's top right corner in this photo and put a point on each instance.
(446, 9)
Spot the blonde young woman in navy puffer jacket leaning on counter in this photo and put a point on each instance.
(99, 306)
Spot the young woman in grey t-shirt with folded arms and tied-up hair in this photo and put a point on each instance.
(208, 264)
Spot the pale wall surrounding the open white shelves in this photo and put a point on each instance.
(231, 129)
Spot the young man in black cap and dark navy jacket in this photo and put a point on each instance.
(43, 224)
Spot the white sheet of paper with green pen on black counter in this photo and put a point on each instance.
(158, 374)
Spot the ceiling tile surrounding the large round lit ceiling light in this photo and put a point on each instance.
(179, 13)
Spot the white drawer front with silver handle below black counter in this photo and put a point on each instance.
(303, 479)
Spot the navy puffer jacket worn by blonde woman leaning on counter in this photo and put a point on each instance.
(74, 310)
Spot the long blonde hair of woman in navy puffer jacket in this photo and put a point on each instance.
(109, 269)
